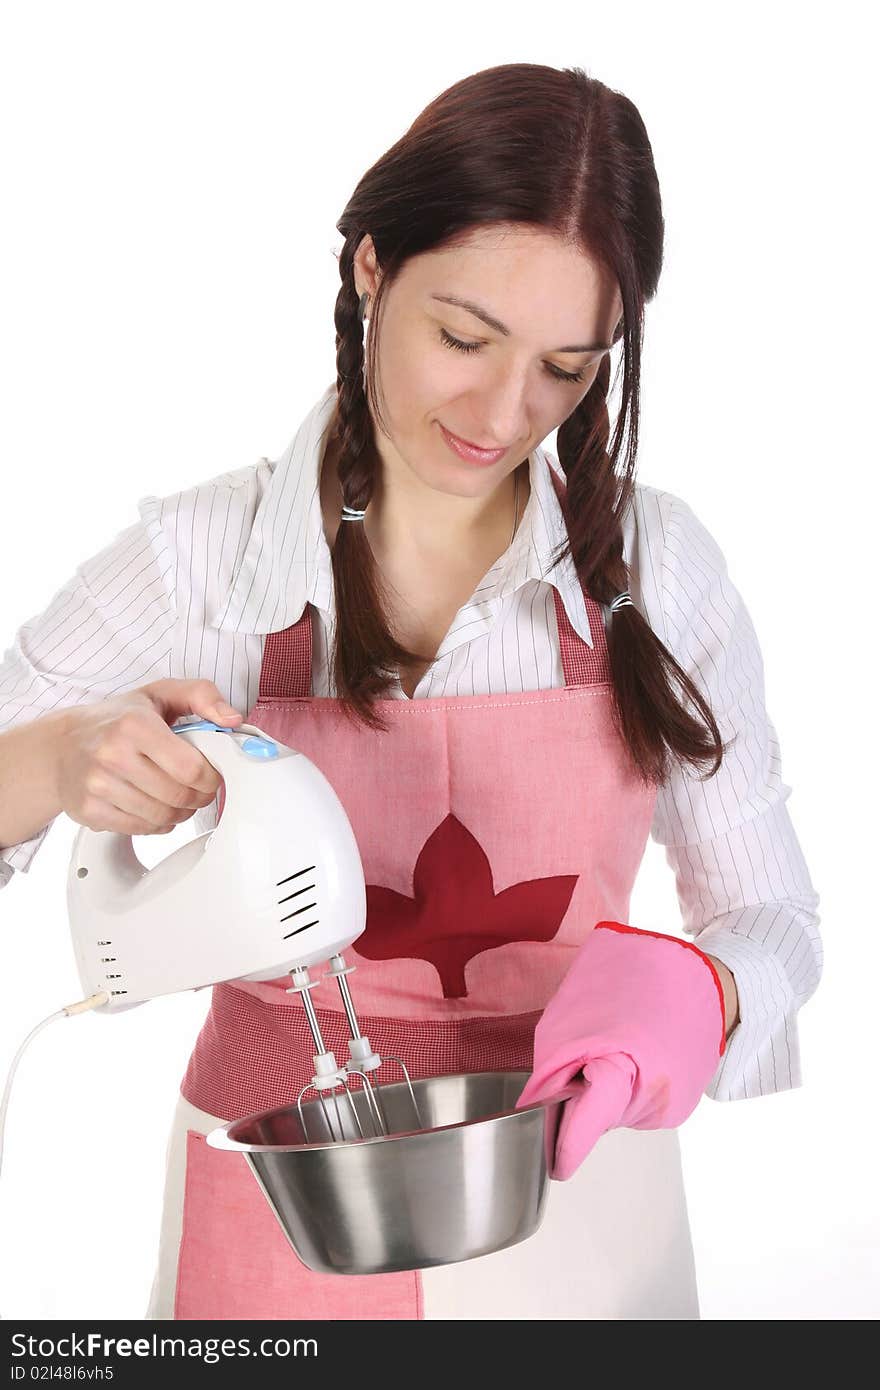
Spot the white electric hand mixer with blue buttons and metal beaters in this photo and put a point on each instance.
(277, 888)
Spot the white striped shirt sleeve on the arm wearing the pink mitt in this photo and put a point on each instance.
(742, 879)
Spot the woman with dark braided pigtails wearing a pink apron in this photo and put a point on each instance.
(512, 669)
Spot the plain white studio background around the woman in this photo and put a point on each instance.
(172, 179)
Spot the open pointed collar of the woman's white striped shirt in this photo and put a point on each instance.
(287, 562)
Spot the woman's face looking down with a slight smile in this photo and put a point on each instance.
(512, 383)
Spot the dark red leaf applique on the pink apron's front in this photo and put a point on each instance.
(455, 913)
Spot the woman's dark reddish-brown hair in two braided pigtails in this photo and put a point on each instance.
(555, 149)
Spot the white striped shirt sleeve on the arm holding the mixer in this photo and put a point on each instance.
(109, 629)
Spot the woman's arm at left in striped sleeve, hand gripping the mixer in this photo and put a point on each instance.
(85, 705)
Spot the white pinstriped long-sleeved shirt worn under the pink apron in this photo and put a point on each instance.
(193, 589)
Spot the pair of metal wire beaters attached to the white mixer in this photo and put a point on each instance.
(330, 1077)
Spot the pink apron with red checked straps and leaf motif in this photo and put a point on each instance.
(496, 832)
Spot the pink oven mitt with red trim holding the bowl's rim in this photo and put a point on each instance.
(639, 1022)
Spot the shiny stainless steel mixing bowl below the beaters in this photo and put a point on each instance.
(472, 1181)
